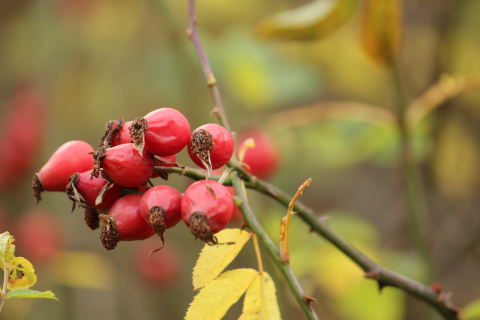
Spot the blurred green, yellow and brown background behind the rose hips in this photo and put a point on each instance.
(69, 66)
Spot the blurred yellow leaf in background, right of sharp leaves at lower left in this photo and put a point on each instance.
(83, 269)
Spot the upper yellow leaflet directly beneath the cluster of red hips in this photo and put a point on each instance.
(213, 259)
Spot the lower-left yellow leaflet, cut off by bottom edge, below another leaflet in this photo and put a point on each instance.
(213, 301)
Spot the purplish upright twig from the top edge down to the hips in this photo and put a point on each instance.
(207, 70)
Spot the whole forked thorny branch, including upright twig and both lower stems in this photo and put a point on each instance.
(431, 295)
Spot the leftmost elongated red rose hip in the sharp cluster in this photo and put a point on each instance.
(71, 157)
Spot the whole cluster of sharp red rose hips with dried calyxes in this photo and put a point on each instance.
(125, 159)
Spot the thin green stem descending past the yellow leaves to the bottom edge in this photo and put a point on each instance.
(284, 267)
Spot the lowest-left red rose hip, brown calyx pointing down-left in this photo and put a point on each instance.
(124, 222)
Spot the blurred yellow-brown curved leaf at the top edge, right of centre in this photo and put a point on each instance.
(310, 21)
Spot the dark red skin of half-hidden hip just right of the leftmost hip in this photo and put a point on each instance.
(89, 190)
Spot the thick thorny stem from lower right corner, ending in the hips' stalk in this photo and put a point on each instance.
(438, 300)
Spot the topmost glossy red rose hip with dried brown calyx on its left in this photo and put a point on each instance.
(166, 131)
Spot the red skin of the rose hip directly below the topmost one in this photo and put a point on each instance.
(124, 165)
